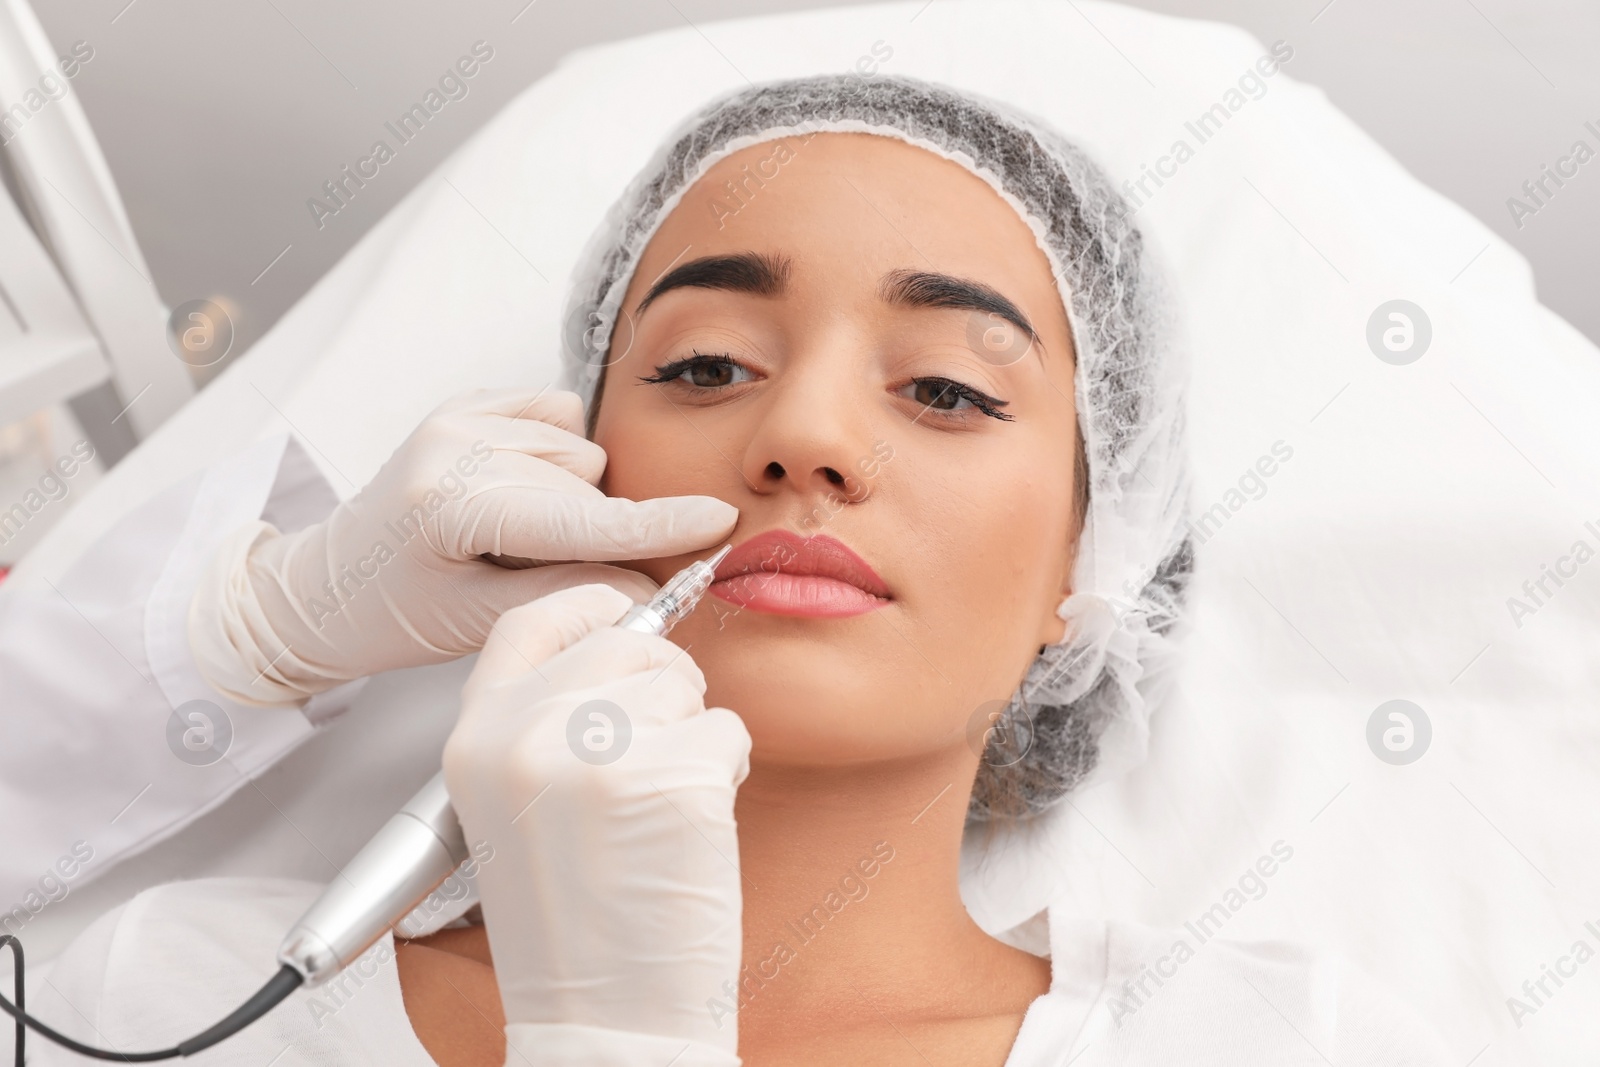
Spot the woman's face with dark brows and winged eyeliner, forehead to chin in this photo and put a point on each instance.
(833, 329)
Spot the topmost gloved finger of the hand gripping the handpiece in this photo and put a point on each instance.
(530, 634)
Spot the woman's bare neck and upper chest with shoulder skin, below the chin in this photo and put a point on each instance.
(857, 943)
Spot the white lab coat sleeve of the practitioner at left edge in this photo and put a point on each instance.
(92, 669)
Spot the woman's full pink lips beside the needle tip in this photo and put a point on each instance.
(783, 573)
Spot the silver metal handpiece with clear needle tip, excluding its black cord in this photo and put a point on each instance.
(423, 845)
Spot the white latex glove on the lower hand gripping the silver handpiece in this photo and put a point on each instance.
(614, 903)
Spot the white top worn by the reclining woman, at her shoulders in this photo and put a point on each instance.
(180, 957)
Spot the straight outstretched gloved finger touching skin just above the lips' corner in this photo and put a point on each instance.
(567, 527)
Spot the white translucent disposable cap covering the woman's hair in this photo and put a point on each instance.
(1084, 708)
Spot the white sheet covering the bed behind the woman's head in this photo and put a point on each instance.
(1377, 565)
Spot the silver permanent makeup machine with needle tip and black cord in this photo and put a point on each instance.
(396, 871)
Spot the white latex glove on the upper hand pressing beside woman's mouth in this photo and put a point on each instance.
(396, 578)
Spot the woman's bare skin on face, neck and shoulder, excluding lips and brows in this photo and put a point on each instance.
(862, 727)
